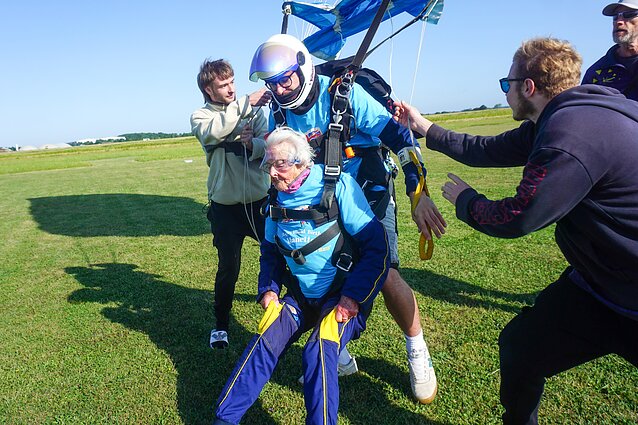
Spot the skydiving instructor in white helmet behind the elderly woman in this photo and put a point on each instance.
(302, 101)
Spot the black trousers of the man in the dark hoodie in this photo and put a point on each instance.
(566, 327)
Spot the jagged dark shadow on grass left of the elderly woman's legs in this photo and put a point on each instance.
(177, 319)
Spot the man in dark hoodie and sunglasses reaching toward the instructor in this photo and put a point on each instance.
(579, 149)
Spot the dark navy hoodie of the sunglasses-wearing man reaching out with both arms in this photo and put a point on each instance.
(579, 172)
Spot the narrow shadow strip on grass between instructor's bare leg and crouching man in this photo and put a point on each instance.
(463, 293)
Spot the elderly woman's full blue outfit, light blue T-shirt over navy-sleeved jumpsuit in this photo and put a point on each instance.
(314, 308)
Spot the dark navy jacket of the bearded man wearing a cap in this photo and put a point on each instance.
(607, 71)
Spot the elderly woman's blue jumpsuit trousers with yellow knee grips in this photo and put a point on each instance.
(281, 326)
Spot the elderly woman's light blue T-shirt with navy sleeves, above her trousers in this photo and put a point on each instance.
(315, 277)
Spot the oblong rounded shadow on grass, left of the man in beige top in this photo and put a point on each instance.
(119, 214)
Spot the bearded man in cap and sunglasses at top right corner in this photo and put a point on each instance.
(619, 67)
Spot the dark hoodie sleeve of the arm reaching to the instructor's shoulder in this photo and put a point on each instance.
(509, 149)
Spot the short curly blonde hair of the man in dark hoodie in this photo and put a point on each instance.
(553, 65)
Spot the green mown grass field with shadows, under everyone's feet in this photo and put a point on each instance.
(106, 280)
